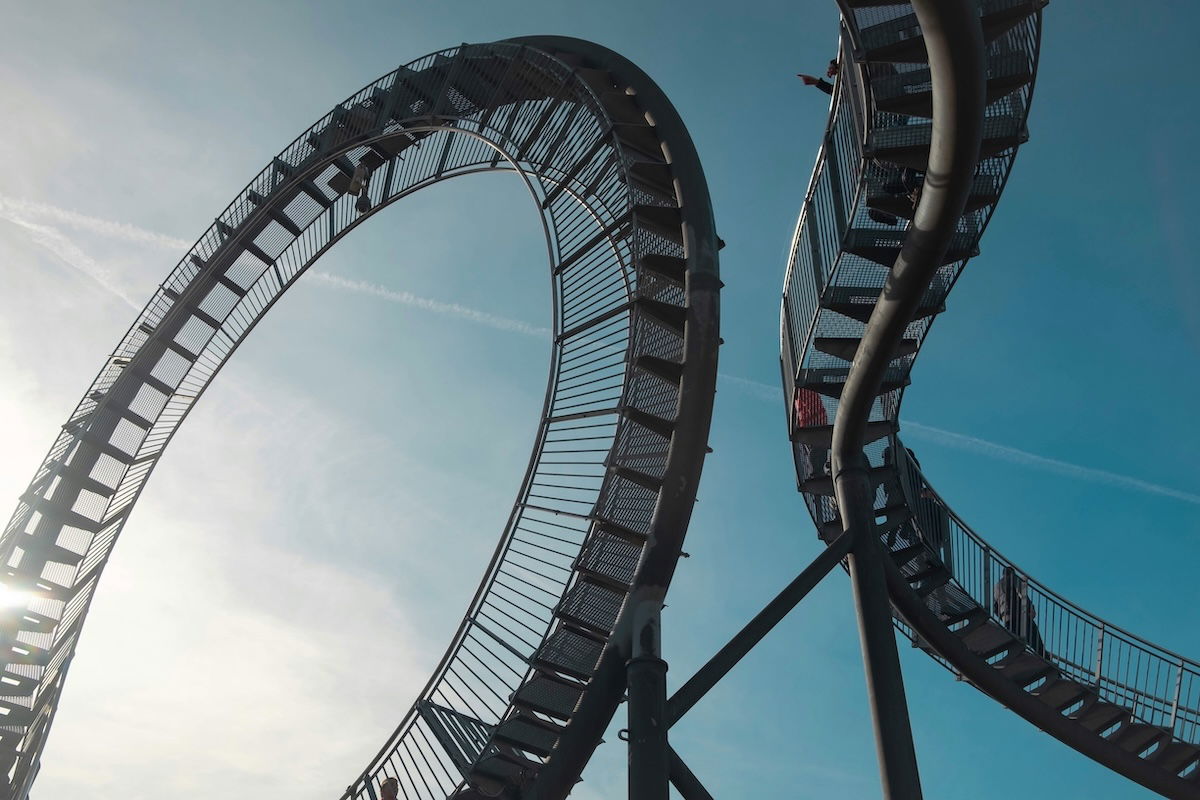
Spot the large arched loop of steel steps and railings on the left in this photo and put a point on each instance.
(615, 464)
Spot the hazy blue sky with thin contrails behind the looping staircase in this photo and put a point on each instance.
(303, 552)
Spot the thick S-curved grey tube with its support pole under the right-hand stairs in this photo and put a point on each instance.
(955, 45)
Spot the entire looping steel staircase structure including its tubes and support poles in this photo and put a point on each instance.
(927, 117)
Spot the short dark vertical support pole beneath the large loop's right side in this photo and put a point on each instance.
(650, 757)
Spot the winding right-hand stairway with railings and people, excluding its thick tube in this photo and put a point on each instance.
(1111, 695)
